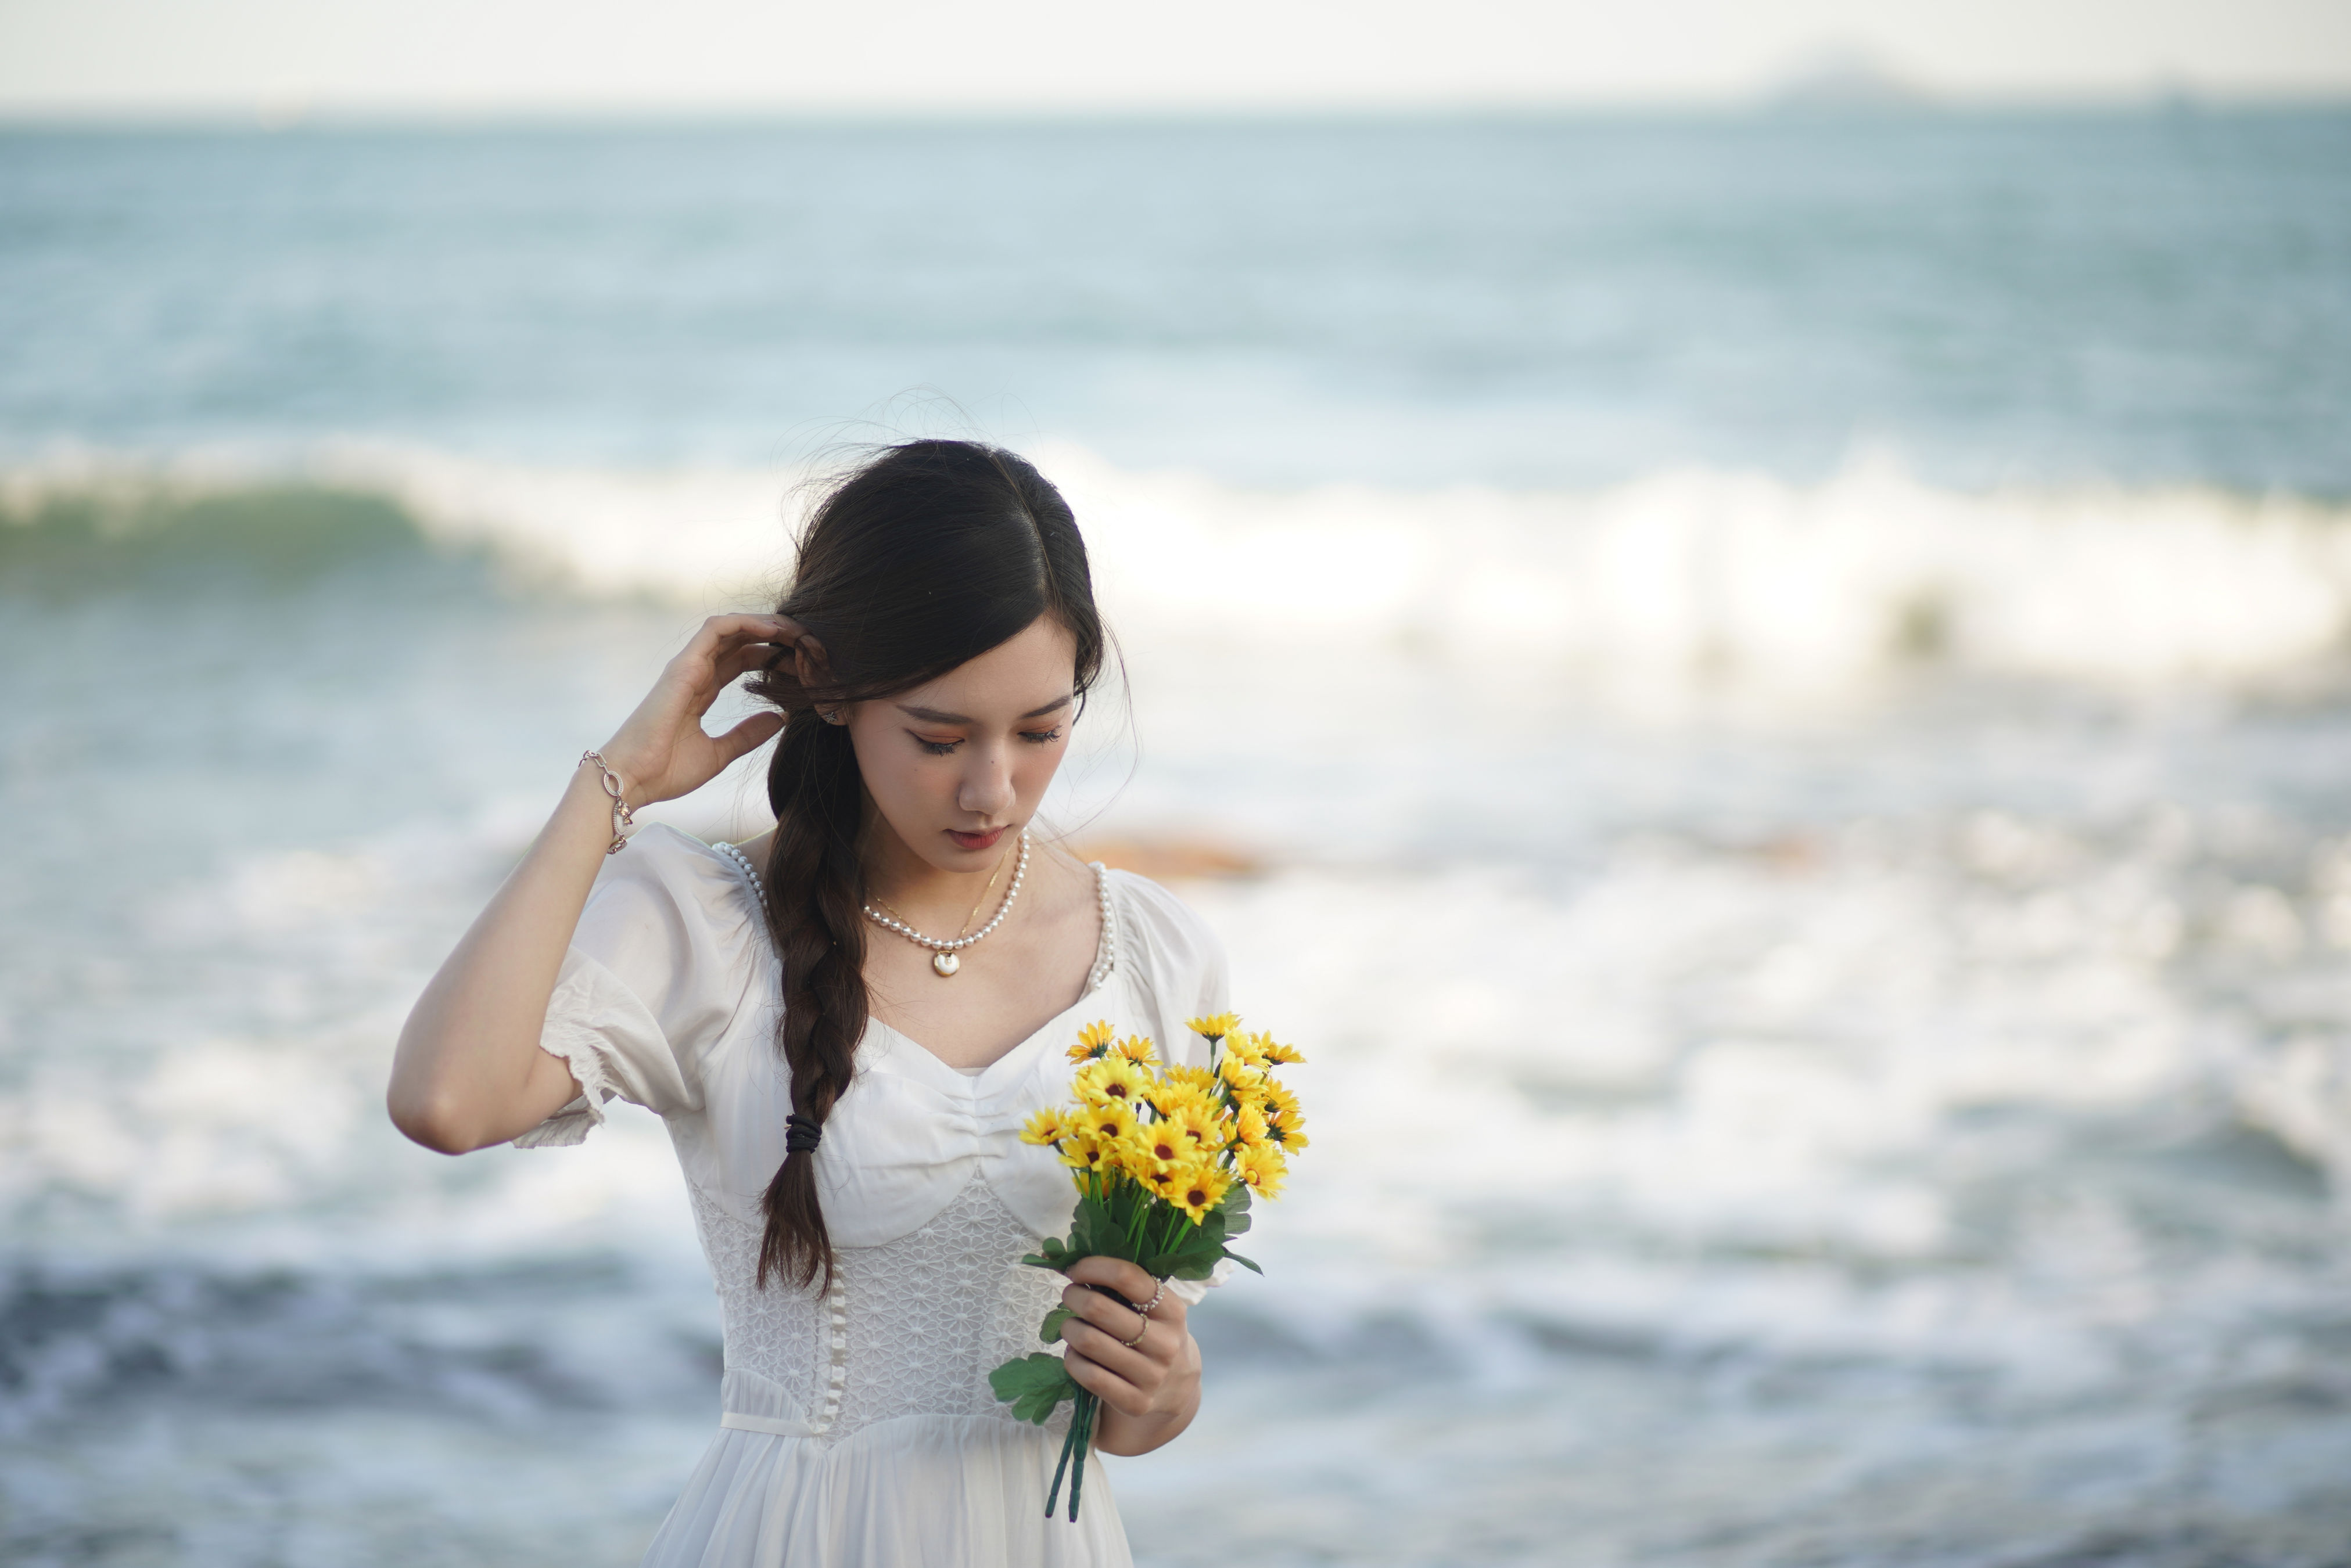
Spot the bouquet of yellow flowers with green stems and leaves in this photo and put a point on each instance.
(1165, 1162)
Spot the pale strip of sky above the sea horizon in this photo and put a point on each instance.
(469, 58)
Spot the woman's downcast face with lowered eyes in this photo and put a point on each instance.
(960, 763)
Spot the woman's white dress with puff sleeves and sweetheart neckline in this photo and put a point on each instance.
(857, 1426)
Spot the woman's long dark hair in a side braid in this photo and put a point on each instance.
(923, 558)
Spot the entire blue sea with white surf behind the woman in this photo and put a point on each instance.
(1764, 695)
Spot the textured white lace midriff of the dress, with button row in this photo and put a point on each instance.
(911, 1327)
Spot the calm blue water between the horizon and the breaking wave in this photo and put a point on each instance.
(1546, 302)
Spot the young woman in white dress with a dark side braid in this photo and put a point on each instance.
(848, 1021)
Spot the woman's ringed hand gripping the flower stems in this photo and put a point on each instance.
(1151, 1388)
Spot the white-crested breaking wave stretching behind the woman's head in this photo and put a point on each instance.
(1680, 577)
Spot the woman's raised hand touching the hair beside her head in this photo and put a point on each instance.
(662, 749)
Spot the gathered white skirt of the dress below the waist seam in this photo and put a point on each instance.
(916, 1492)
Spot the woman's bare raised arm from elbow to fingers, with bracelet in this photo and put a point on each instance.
(469, 1071)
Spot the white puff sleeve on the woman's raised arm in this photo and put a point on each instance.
(655, 972)
